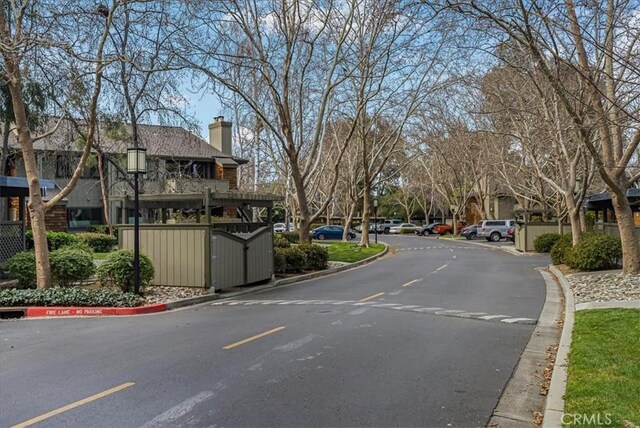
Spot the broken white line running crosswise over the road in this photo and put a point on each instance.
(456, 313)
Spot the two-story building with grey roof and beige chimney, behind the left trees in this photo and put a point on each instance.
(178, 161)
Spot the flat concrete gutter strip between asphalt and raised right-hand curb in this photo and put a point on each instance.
(521, 396)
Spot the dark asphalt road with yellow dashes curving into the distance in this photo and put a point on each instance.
(427, 336)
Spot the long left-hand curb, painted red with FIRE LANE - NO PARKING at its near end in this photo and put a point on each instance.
(65, 311)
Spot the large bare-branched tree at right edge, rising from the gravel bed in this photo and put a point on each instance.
(599, 41)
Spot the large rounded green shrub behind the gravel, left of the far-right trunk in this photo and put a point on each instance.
(596, 251)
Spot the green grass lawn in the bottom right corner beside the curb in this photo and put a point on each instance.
(604, 366)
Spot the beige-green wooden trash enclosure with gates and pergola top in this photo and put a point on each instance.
(212, 254)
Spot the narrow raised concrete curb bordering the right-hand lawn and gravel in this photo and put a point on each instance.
(554, 407)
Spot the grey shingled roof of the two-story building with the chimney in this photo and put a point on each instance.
(159, 140)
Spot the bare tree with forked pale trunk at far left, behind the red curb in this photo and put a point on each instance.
(67, 34)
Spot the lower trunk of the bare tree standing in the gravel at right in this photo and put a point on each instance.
(628, 234)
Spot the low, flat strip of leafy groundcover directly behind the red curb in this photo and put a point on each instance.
(74, 296)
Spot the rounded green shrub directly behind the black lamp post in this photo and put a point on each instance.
(117, 269)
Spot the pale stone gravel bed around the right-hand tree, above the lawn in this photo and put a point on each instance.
(604, 287)
